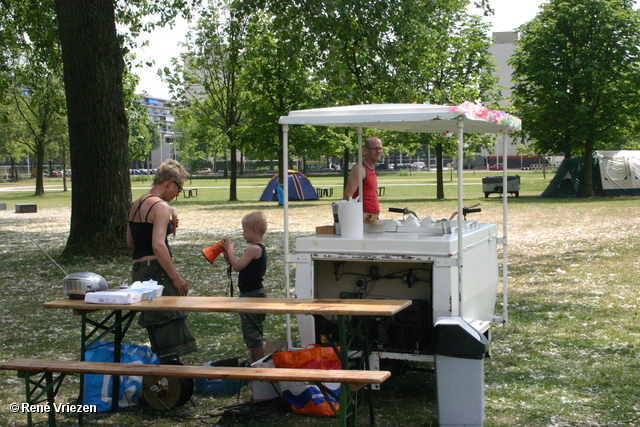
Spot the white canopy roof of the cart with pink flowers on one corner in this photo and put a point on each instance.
(419, 118)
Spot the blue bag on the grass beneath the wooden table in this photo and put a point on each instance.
(98, 388)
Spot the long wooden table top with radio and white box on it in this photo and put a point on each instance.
(350, 307)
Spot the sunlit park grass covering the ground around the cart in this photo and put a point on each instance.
(569, 356)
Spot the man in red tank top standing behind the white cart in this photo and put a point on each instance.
(372, 155)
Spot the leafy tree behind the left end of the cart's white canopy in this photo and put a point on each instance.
(279, 78)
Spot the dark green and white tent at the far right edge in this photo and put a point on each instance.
(615, 173)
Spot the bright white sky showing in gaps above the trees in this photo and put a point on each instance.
(163, 43)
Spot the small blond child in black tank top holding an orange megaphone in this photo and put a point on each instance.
(252, 266)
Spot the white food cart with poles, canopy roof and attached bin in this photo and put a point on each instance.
(448, 268)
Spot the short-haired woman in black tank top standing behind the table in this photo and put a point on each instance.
(150, 222)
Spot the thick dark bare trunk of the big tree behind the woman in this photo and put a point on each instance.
(98, 128)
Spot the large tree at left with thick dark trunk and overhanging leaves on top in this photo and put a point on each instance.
(92, 54)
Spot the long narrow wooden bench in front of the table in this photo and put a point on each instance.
(46, 387)
